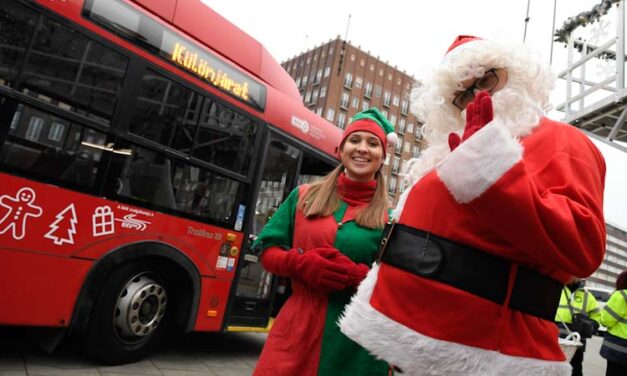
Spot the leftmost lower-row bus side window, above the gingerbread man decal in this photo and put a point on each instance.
(51, 147)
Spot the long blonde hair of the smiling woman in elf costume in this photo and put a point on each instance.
(322, 199)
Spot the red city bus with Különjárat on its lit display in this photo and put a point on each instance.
(142, 144)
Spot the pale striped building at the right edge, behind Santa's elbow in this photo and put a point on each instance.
(615, 259)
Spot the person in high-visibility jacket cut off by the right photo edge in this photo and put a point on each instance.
(614, 317)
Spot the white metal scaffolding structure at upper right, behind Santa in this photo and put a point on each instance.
(597, 105)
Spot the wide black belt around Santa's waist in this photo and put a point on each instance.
(469, 269)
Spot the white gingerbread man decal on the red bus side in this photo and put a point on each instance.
(19, 208)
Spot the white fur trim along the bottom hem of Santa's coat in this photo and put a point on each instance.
(417, 354)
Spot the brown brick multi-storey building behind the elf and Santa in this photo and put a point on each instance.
(337, 80)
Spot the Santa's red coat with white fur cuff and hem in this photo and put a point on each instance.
(536, 201)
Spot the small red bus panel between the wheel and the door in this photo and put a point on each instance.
(213, 304)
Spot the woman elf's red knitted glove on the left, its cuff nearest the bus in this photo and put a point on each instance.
(313, 267)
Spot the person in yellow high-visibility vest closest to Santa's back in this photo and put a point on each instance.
(573, 301)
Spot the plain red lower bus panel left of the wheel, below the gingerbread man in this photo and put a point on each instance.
(38, 290)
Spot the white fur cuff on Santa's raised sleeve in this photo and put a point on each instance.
(479, 162)
